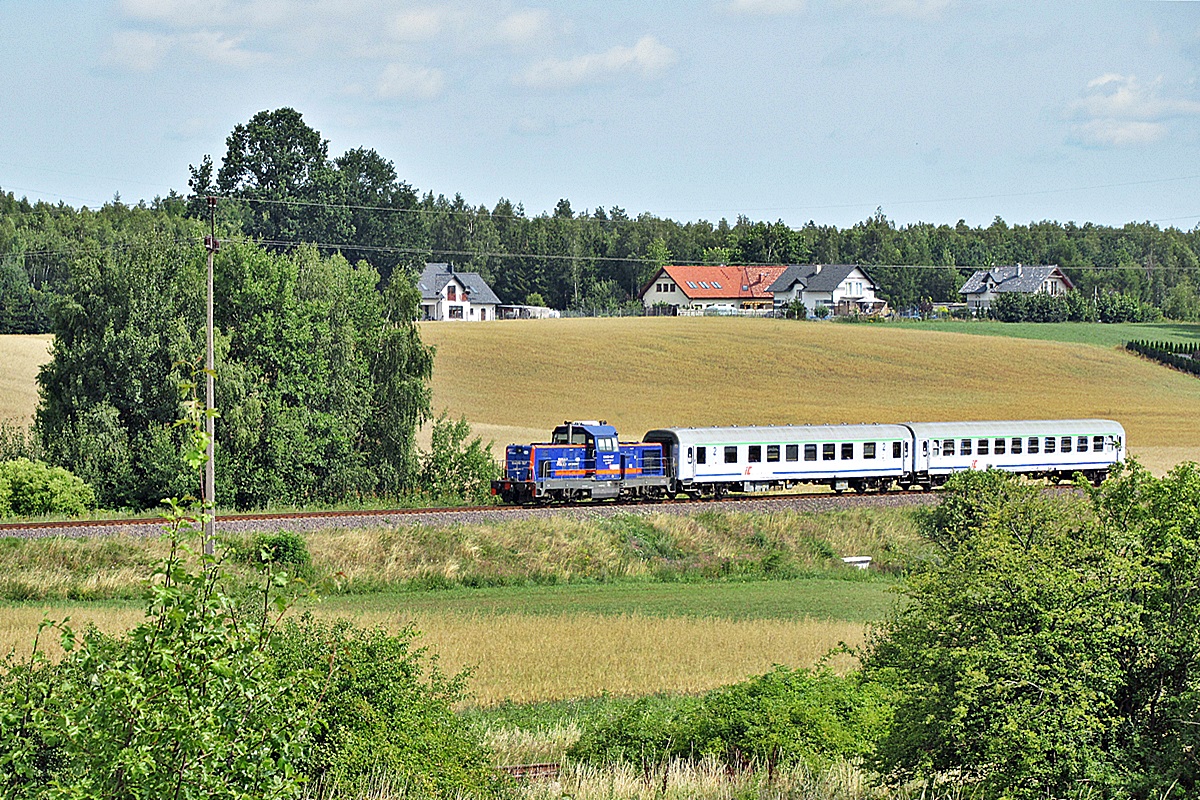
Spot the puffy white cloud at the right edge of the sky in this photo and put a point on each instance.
(1120, 111)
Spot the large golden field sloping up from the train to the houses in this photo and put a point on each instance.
(515, 380)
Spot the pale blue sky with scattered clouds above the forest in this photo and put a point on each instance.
(825, 111)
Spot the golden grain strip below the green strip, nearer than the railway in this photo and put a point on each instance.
(509, 657)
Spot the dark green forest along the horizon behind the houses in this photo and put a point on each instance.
(280, 188)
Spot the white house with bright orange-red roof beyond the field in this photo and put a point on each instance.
(697, 288)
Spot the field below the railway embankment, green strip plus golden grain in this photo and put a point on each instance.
(627, 640)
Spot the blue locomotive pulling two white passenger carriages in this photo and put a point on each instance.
(586, 460)
